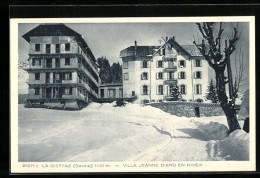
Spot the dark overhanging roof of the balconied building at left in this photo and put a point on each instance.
(57, 29)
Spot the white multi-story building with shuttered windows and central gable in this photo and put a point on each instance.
(151, 72)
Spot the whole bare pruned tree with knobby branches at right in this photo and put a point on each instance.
(218, 58)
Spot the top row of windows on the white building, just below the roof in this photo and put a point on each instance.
(159, 64)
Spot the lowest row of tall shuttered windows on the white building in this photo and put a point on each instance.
(182, 89)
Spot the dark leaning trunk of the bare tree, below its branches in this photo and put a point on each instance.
(228, 108)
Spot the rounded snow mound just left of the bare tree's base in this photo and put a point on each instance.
(212, 130)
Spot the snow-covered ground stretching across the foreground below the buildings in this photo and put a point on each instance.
(102, 132)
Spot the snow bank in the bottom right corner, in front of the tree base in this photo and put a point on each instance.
(233, 147)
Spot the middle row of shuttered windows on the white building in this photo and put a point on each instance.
(159, 75)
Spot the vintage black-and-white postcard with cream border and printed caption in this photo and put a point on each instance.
(132, 94)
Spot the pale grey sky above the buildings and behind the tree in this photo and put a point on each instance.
(108, 39)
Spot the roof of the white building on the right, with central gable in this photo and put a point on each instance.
(191, 50)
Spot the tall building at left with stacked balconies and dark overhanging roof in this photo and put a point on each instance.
(62, 67)
